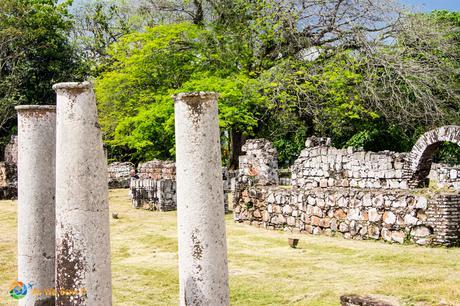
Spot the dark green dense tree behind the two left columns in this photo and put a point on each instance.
(34, 54)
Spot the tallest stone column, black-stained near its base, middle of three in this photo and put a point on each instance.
(82, 211)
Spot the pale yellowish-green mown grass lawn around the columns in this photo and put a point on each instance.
(264, 270)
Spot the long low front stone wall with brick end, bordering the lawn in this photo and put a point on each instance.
(392, 215)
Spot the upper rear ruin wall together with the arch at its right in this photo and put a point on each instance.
(321, 165)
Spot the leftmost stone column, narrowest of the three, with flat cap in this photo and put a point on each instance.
(36, 187)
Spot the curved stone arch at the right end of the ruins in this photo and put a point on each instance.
(420, 158)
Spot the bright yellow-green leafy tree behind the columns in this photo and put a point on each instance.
(149, 67)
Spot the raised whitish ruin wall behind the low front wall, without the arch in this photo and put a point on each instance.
(320, 165)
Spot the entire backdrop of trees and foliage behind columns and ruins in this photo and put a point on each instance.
(362, 72)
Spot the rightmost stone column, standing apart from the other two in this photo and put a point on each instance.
(203, 273)
